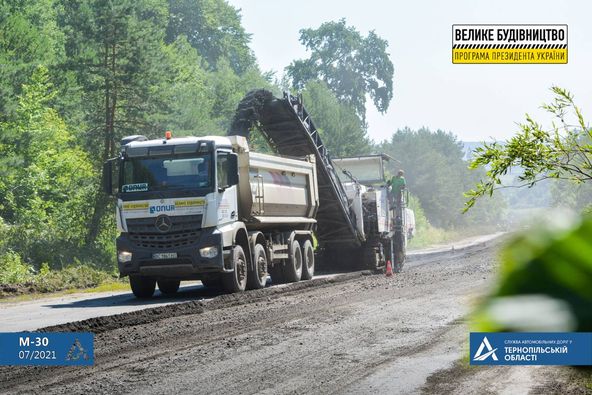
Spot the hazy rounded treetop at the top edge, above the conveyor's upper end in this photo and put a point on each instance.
(213, 27)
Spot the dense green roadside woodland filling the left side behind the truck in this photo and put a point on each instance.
(75, 78)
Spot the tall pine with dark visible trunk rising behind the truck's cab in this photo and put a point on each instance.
(115, 51)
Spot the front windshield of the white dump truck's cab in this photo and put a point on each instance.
(162, 174)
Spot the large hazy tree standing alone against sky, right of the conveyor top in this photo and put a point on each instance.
(351, 65)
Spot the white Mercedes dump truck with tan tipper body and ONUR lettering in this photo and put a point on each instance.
(207, 208)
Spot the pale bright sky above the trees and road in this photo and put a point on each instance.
(475, 102)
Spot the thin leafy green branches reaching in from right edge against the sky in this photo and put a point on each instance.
(562, 152)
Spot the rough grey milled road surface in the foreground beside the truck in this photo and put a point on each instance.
(355, 334)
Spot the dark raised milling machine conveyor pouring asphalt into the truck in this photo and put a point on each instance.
(289, 129)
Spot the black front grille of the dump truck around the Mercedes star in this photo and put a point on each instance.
(185, 230)
